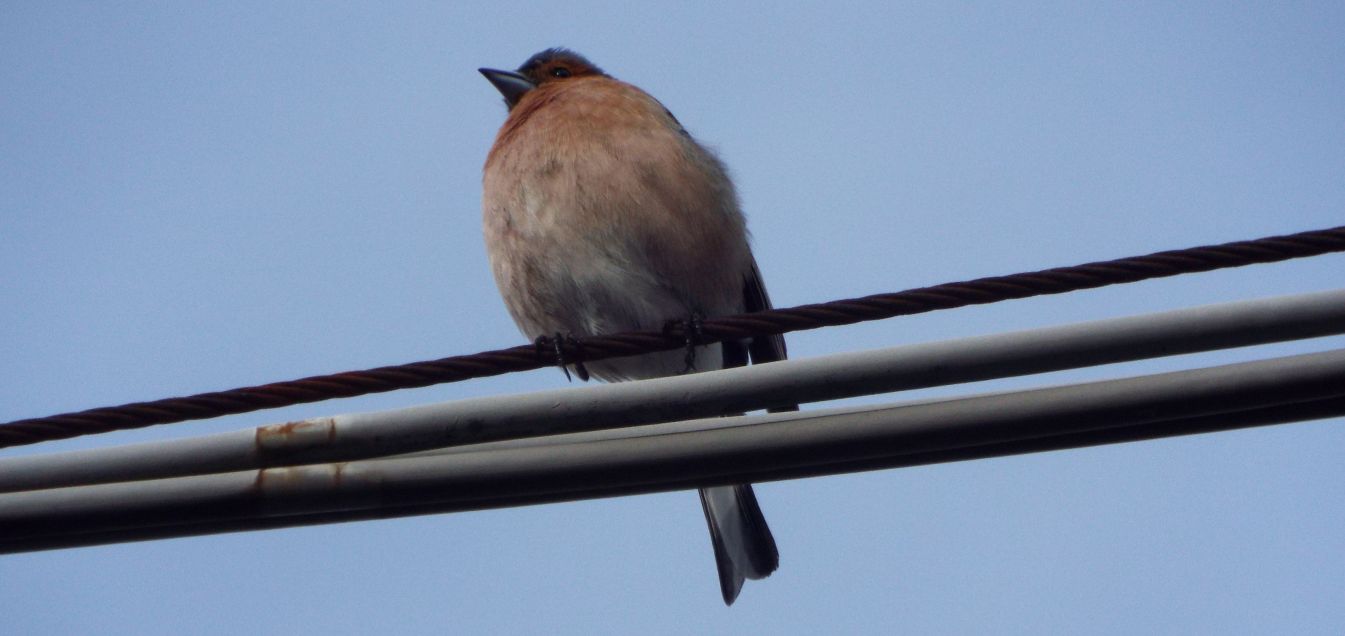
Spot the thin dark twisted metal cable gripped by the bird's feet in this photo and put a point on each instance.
(523, 358)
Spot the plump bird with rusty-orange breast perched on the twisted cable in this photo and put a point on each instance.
(602, 214)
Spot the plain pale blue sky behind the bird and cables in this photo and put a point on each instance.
(202, 197)
